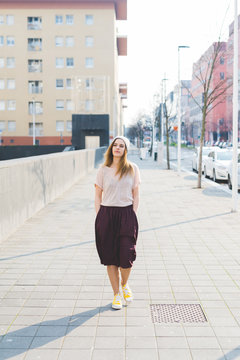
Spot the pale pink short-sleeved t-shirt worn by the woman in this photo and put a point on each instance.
(117, 192)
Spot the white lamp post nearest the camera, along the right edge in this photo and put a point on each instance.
(235, 112)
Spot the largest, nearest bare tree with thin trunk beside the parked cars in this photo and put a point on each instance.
(212, 91)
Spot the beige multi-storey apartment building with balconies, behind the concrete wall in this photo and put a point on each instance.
(58, 58)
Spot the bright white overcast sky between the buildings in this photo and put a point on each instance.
(155, 28)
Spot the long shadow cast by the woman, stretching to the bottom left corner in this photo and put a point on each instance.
(19, 341)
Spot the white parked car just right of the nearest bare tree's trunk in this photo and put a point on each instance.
(215, 165)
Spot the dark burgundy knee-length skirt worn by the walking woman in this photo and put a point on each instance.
(116, 231)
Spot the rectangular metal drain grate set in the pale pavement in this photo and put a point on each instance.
(177, 313)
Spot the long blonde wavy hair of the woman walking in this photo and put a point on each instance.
(124, 166)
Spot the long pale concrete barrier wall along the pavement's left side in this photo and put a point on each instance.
(28, 184)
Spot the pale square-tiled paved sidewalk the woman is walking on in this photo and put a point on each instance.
(56, 298)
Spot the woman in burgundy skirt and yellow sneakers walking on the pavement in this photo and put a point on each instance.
(116, 225)
